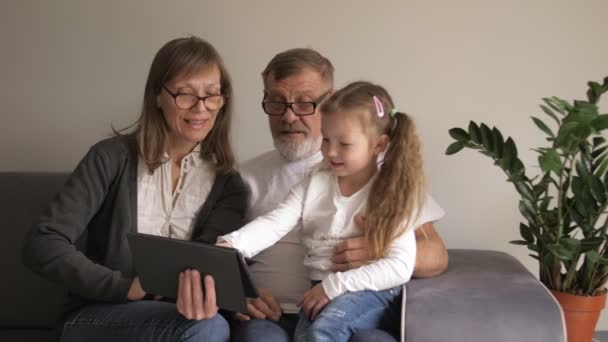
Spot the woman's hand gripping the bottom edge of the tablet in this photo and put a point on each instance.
(190, 301)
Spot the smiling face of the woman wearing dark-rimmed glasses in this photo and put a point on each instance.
(187, 127)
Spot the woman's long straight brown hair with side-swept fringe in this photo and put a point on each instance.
(183, 56)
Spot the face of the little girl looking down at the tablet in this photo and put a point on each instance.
(347, 148)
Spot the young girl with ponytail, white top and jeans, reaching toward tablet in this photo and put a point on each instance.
(359, 124)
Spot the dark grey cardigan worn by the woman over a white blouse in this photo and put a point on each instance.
(80, 242)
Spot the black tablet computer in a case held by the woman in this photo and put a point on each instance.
(159, 260)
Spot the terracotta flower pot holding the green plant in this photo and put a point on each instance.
(581, 314)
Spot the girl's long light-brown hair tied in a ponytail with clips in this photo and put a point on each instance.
(399, 191)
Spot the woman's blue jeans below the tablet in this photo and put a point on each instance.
(145, 320)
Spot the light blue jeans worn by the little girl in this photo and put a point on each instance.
(346, 315)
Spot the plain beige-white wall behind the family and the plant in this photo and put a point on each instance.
(70, 69)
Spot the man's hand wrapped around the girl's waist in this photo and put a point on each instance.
(353, 252)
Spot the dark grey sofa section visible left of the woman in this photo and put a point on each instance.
(28, 300)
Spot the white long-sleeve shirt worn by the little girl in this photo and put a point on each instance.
(327, 219)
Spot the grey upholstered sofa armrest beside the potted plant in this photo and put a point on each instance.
(483, 296)
